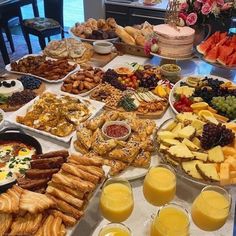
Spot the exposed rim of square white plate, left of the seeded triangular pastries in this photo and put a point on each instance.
(94, 108)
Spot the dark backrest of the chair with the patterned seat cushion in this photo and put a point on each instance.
(54, 9)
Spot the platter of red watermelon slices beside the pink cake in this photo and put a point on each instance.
(219, 50)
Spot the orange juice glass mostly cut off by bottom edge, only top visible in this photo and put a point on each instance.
(115, 229)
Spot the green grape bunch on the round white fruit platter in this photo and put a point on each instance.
(225, 105)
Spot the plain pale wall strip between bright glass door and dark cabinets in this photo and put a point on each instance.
(94, 9)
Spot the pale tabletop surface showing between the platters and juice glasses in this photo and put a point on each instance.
(138, 222)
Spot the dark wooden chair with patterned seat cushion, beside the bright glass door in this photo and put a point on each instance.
(51, 25)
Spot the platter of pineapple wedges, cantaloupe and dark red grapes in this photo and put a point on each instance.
(198, 149)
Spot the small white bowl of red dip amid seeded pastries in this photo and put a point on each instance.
(110, 130)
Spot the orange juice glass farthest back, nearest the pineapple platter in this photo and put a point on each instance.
(159, 185)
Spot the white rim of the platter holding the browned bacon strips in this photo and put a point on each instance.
(8, 68)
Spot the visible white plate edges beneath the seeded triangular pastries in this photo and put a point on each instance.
(130, 173)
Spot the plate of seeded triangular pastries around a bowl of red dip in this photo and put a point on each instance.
(120, 140)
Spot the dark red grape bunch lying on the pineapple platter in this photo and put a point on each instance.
(214, 135)
